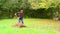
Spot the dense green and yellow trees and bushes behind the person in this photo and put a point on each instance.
(32, 8)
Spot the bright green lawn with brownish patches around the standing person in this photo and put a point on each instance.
(33, 26)
